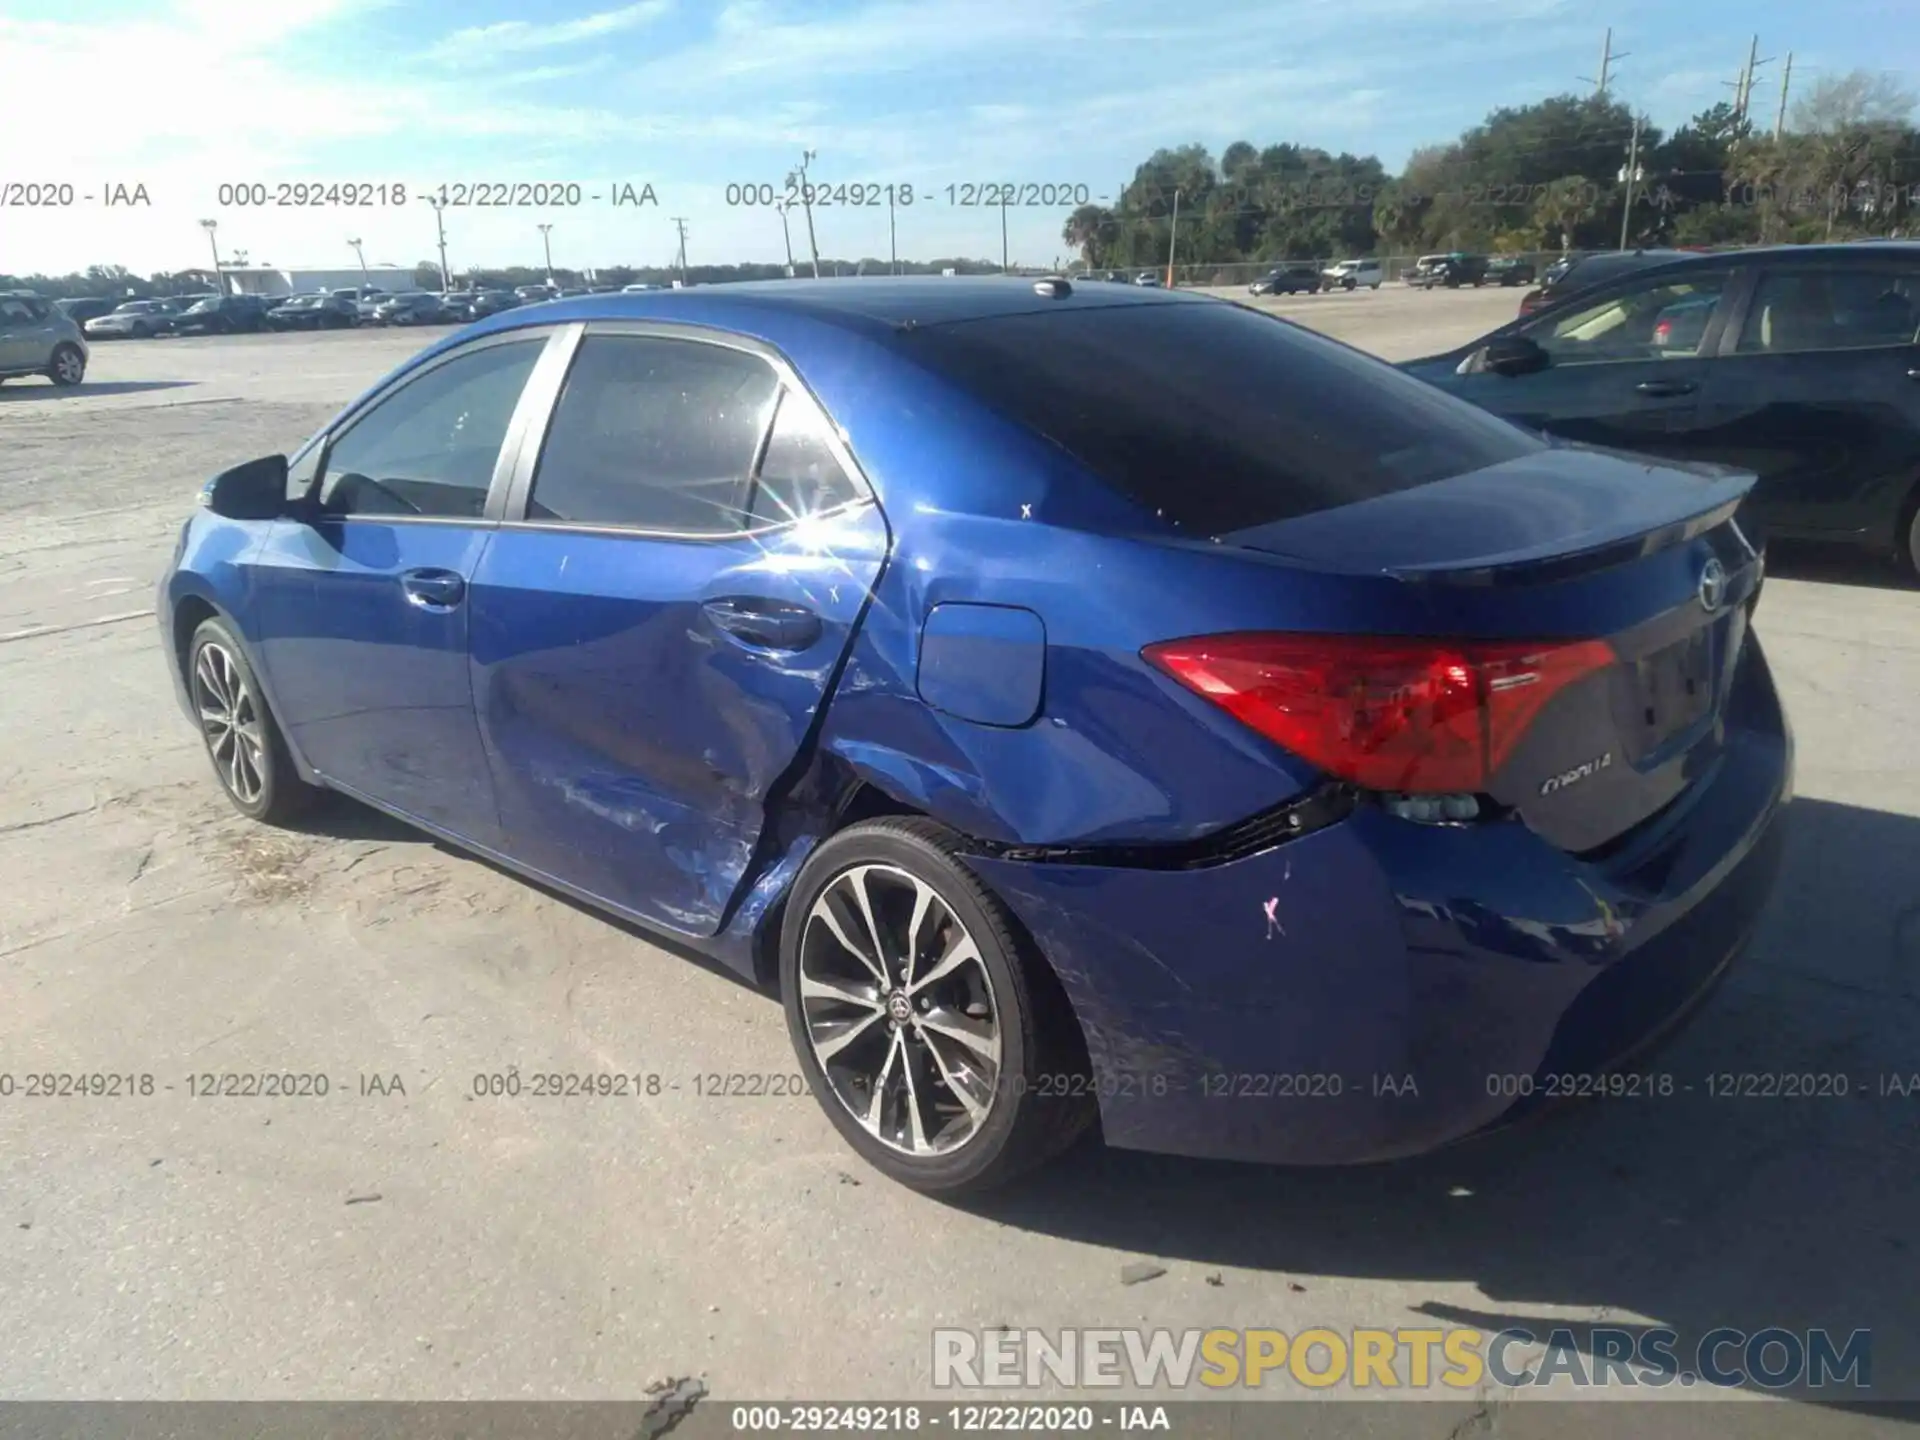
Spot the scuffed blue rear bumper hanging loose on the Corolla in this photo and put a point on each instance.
(1380, 990)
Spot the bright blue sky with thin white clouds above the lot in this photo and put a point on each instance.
(688, 97)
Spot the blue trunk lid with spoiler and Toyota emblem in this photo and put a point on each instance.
(1570, 544)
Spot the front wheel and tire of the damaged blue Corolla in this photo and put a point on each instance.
(241, 736)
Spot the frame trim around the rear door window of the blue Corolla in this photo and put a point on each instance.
(788, 385)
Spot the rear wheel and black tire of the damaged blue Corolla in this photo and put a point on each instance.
(934, 1040)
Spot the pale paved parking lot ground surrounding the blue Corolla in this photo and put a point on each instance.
(437, 1245)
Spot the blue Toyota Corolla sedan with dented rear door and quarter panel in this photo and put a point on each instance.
(1080, 704)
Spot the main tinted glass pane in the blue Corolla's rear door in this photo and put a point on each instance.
(658, 435)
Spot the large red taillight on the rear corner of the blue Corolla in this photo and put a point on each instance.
(1385, 713)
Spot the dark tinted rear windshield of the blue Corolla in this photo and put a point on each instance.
(1214, 416)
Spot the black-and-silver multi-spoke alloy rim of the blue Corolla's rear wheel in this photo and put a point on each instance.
(900, 1011)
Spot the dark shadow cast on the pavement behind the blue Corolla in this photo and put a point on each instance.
(1691, 1212)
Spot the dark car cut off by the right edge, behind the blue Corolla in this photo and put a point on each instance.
(1794, 362)
